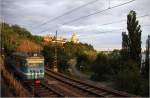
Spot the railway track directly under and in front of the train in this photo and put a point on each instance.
(38, 90)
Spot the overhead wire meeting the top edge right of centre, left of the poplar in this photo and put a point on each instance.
(66, 13)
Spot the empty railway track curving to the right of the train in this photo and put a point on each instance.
(89, 89)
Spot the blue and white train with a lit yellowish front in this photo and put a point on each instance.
(29, 66)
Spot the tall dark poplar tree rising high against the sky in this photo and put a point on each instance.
(134, 37)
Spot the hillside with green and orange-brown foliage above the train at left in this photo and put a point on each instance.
(16, 38)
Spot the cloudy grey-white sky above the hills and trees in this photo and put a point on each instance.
(102, 30)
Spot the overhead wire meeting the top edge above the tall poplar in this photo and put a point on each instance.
(97, 12)
